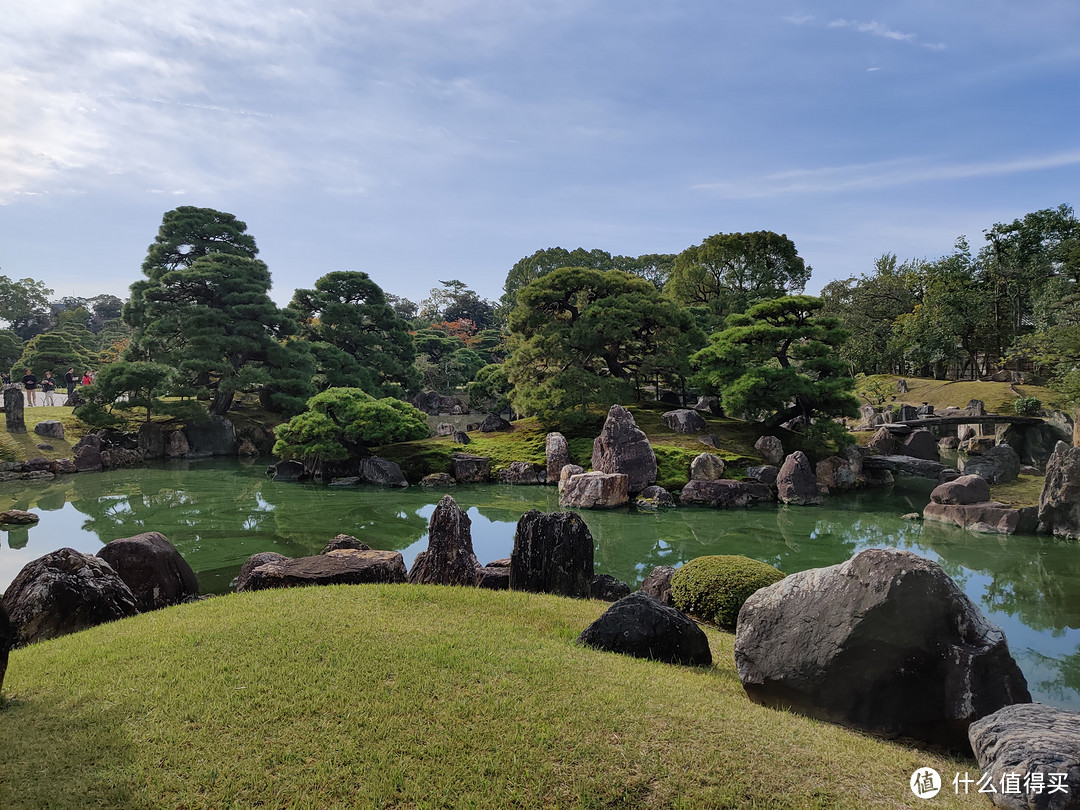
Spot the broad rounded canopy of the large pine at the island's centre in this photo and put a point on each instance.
(583, 337)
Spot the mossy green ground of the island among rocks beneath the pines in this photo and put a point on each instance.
(526, 443)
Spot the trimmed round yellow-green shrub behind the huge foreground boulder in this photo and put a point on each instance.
(714, 588)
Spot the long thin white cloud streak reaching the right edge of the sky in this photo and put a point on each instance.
(883, 174)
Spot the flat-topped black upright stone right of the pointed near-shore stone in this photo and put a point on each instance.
(553, 553)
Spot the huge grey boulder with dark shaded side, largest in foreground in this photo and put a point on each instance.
(885, 642)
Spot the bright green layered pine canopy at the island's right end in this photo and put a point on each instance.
(779, 361)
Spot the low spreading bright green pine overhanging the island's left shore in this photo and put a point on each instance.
(340, 423)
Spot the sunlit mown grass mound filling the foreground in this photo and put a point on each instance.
(407, 696)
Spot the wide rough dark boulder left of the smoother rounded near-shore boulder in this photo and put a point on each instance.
(63, 592)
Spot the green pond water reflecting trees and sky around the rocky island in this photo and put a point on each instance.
(220, 512)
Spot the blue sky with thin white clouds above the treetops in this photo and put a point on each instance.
(422, 141)
